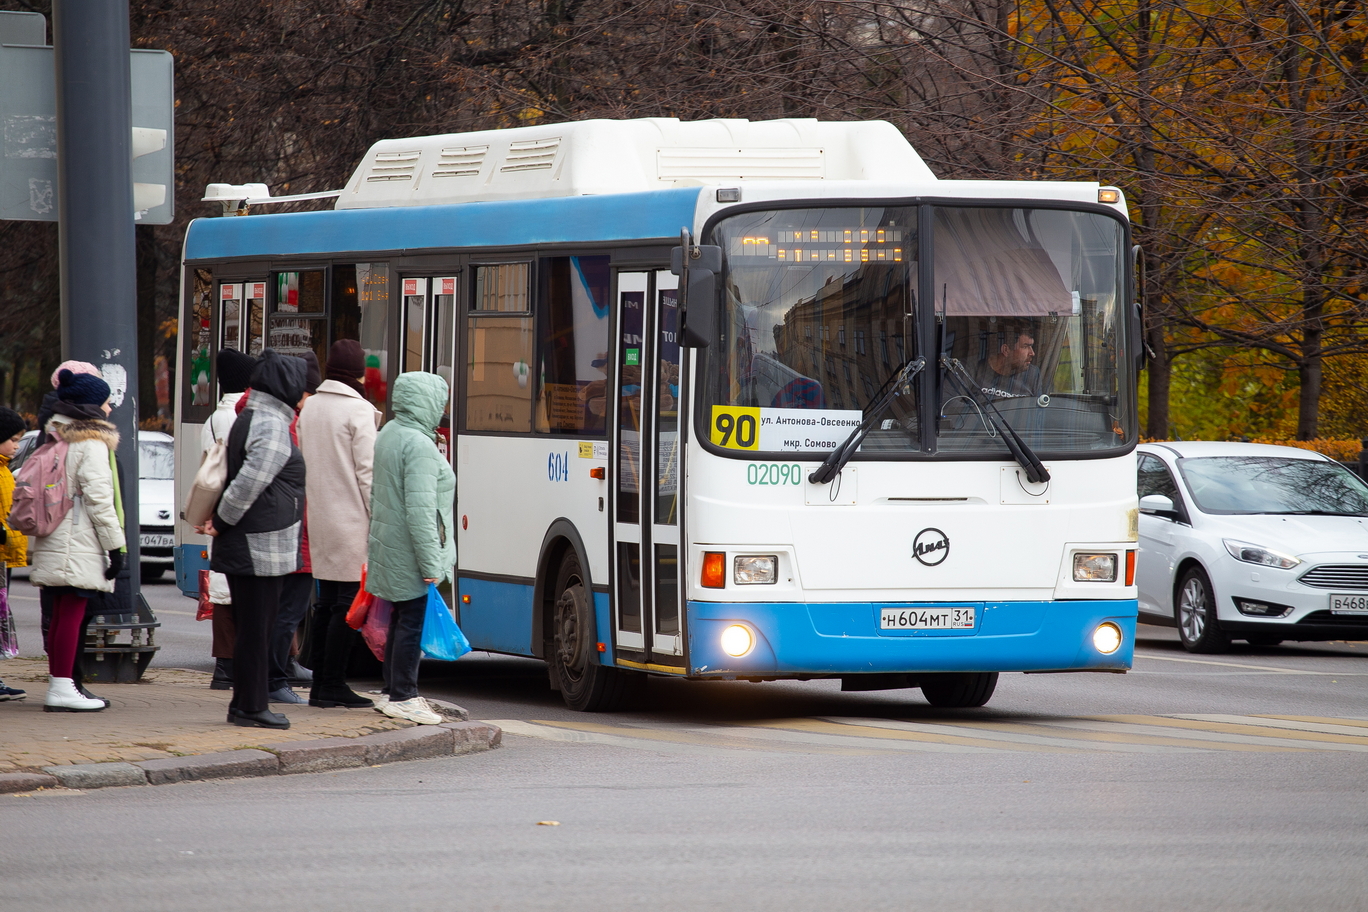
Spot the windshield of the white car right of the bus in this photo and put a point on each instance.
(1273, 485)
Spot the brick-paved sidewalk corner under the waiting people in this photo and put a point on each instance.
(174, 714)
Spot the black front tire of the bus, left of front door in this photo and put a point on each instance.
(585, 684)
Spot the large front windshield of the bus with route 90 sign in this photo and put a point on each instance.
(821, 308)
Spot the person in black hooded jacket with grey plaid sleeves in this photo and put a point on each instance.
(256, 527)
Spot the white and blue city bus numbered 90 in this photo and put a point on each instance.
(728, 400)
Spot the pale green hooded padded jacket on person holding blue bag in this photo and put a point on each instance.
(412, 494)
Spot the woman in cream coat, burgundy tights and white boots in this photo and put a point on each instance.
(85, 552)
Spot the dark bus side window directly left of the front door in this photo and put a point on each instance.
(574, 351)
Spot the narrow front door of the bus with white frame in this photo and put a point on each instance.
(646, 530)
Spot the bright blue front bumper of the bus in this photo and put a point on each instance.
(795, 639)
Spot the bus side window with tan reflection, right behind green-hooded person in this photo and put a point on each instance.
(499, 375)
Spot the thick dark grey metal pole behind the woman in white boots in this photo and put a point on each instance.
(95, 193)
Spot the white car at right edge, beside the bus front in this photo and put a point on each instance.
(1251, 542)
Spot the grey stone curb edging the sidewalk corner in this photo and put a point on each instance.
(419, 743)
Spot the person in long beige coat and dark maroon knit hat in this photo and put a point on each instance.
(337, 437)
